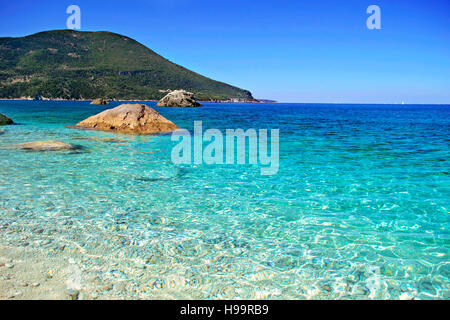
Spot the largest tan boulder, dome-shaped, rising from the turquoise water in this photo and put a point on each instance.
(129, 118)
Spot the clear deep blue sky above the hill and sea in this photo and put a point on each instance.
(291, 51)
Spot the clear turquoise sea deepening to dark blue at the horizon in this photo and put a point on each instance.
(359, 208)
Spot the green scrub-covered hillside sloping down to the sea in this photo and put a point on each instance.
(85, 65)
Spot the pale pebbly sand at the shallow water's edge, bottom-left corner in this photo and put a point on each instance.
(30, 274)
